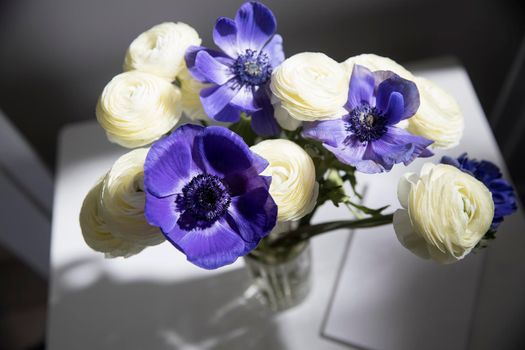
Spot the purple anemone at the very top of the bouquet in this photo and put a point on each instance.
(241, 71)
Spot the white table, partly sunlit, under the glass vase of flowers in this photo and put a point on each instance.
(157, 300)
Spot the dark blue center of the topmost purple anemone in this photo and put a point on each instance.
(252, 68)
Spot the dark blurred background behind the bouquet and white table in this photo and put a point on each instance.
(57, 55)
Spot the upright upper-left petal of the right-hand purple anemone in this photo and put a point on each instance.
(361, 87)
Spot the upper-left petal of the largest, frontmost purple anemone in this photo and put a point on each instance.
(166, 170)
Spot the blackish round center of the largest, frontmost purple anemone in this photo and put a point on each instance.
(203, 201)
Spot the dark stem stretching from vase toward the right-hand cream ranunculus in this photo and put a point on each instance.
(305, 232)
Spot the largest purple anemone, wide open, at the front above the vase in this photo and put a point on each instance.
(205, 192)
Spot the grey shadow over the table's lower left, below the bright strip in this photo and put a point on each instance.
(207, 313)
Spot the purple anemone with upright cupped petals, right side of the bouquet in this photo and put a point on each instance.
(367, 137)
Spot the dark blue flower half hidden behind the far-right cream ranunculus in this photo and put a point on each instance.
(489, 174)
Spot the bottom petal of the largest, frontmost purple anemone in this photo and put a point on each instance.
(214, 247)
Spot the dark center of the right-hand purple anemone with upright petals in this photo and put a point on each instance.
(366, 123)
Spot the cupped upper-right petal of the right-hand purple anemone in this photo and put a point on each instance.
(394, 83)
